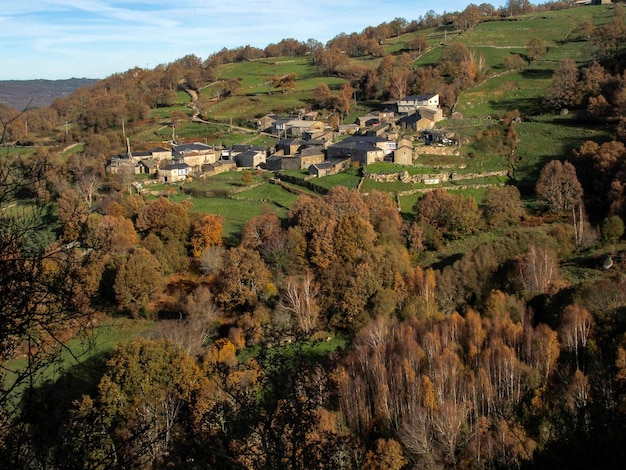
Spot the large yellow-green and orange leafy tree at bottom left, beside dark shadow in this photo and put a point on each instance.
(143, 406)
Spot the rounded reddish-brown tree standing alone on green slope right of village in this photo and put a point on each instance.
(559, 187)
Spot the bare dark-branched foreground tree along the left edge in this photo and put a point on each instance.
(44, 299)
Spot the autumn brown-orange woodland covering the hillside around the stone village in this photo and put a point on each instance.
(339, 332)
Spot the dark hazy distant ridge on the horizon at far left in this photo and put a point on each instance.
(37, 93)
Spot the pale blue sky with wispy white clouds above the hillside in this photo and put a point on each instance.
(58, 39)
